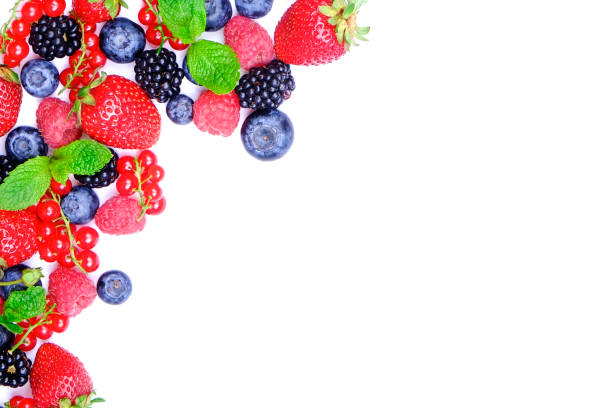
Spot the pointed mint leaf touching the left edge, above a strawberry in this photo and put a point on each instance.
(26, 184)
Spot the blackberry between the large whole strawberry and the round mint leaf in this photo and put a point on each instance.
(158, 74)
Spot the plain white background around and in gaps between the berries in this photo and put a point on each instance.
(438, 236)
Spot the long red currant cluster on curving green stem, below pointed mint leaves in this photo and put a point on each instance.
(61, 241)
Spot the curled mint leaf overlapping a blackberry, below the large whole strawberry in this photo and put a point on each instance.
(85, 157)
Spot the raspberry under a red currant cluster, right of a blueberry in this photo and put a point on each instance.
(119, 216)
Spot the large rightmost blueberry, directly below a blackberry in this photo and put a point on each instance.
(267, 134)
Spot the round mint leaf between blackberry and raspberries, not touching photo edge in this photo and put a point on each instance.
(214, 66)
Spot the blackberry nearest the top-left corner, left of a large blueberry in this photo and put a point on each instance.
(55, 37)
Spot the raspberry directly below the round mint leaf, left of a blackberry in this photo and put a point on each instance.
(217, 114)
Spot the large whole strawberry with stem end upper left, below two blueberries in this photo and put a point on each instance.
(122, 115)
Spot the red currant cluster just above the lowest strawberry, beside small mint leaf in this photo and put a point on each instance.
(41, 327)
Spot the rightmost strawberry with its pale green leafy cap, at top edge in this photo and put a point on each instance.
(315, 32)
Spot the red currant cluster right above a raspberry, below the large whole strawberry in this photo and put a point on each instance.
(141, 175)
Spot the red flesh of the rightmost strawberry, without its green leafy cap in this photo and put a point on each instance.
(303, 36)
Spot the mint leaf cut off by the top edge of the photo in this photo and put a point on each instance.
(186, 19)
